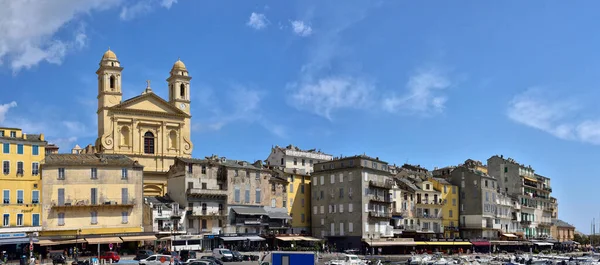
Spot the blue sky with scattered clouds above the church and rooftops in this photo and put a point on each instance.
(426, 82)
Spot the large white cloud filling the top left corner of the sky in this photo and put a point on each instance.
(28, 30)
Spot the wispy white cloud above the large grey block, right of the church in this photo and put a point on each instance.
(328, 94)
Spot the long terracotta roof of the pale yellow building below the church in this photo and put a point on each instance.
(89, 160)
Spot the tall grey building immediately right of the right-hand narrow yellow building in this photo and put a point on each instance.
(478, 192)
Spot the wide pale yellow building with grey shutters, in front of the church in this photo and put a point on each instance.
(91, 194)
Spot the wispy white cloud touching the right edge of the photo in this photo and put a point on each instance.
(558, 117)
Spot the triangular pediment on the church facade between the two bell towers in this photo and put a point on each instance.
(149, 102)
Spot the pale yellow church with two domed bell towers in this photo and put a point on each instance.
(147, 128)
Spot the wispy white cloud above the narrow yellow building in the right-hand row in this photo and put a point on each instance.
(423, 96)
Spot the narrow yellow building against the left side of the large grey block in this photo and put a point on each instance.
(298, 193)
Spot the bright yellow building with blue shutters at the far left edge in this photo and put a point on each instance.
(20, 156)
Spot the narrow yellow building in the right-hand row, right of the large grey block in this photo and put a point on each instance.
(450, 197)
